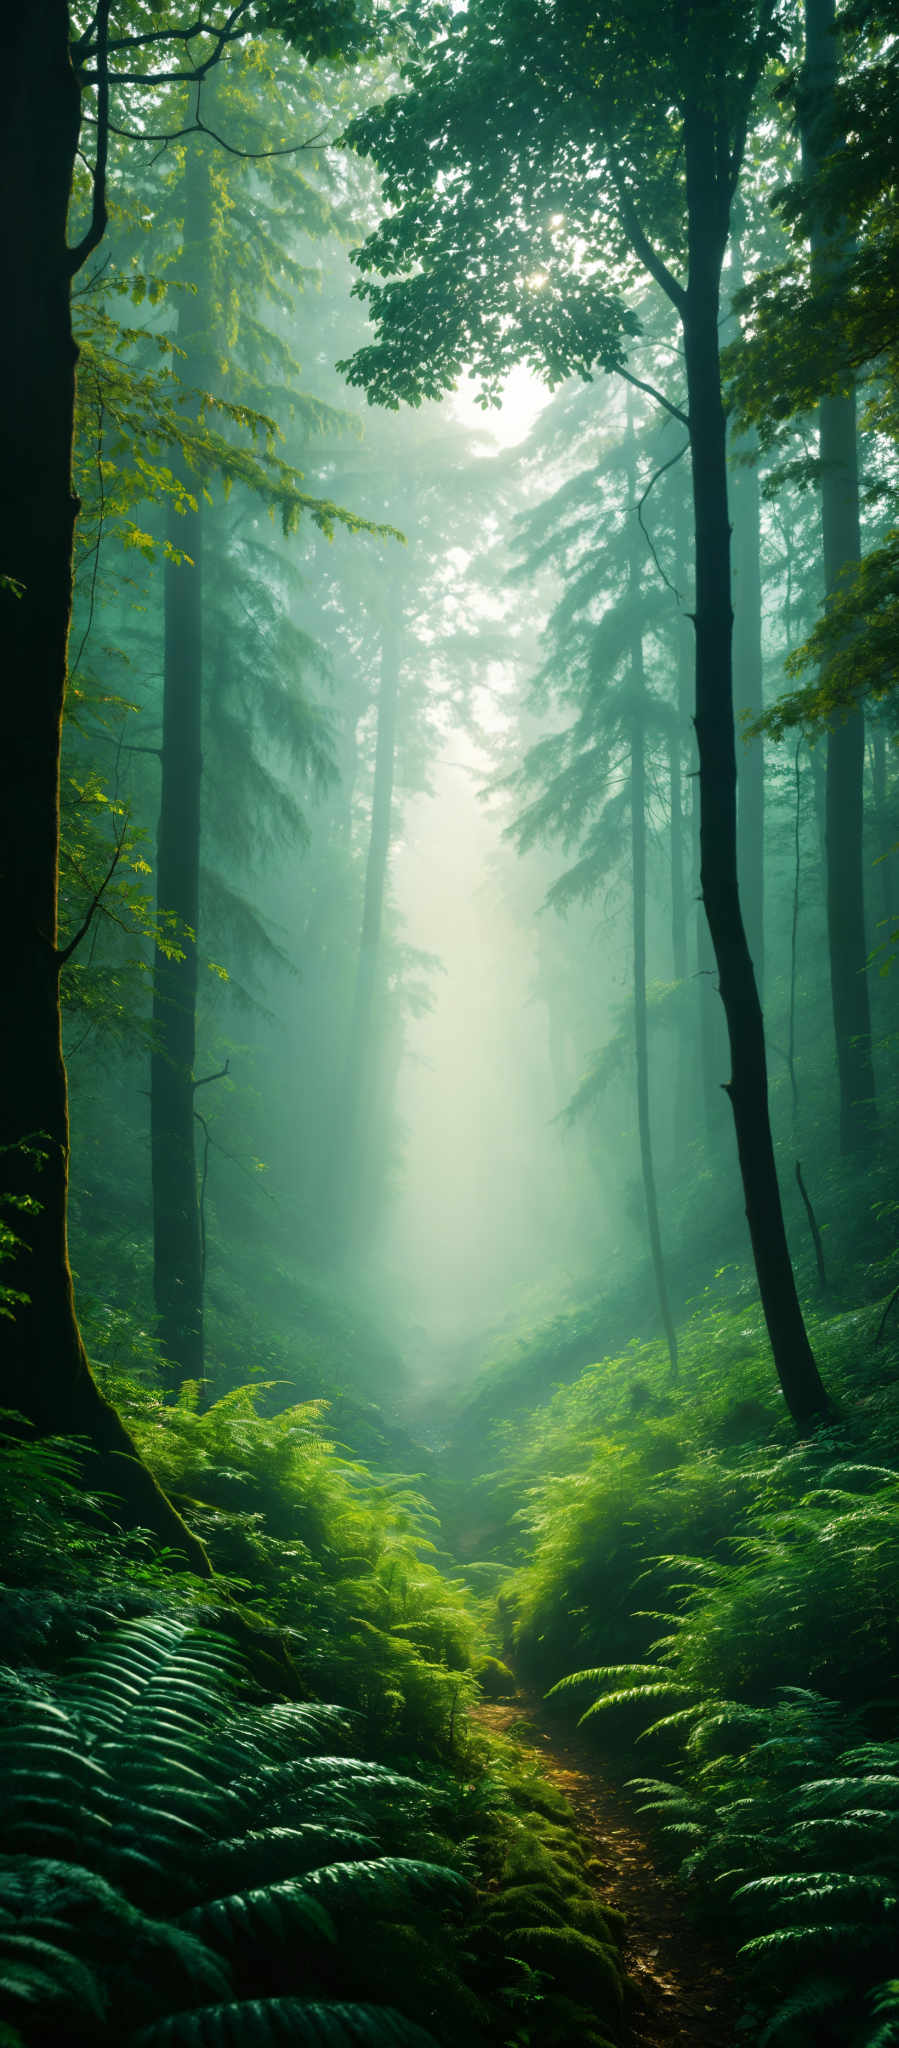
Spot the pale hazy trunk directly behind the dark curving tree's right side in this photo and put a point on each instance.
(746, 509)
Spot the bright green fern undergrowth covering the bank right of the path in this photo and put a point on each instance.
(701, 1586)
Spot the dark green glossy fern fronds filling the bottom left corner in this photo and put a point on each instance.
(122, 1781)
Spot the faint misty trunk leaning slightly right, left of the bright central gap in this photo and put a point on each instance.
(363, 1050)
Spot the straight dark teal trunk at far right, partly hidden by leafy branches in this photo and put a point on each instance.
(845, 792)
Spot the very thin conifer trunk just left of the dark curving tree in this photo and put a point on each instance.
(640, 916)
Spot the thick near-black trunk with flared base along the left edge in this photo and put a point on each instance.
(46, 1375)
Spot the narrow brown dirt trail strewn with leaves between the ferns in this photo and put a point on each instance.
(683, 1994)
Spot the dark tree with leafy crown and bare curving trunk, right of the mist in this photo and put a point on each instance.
(525, 161)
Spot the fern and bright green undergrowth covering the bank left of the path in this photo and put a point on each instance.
(189, 1859)
